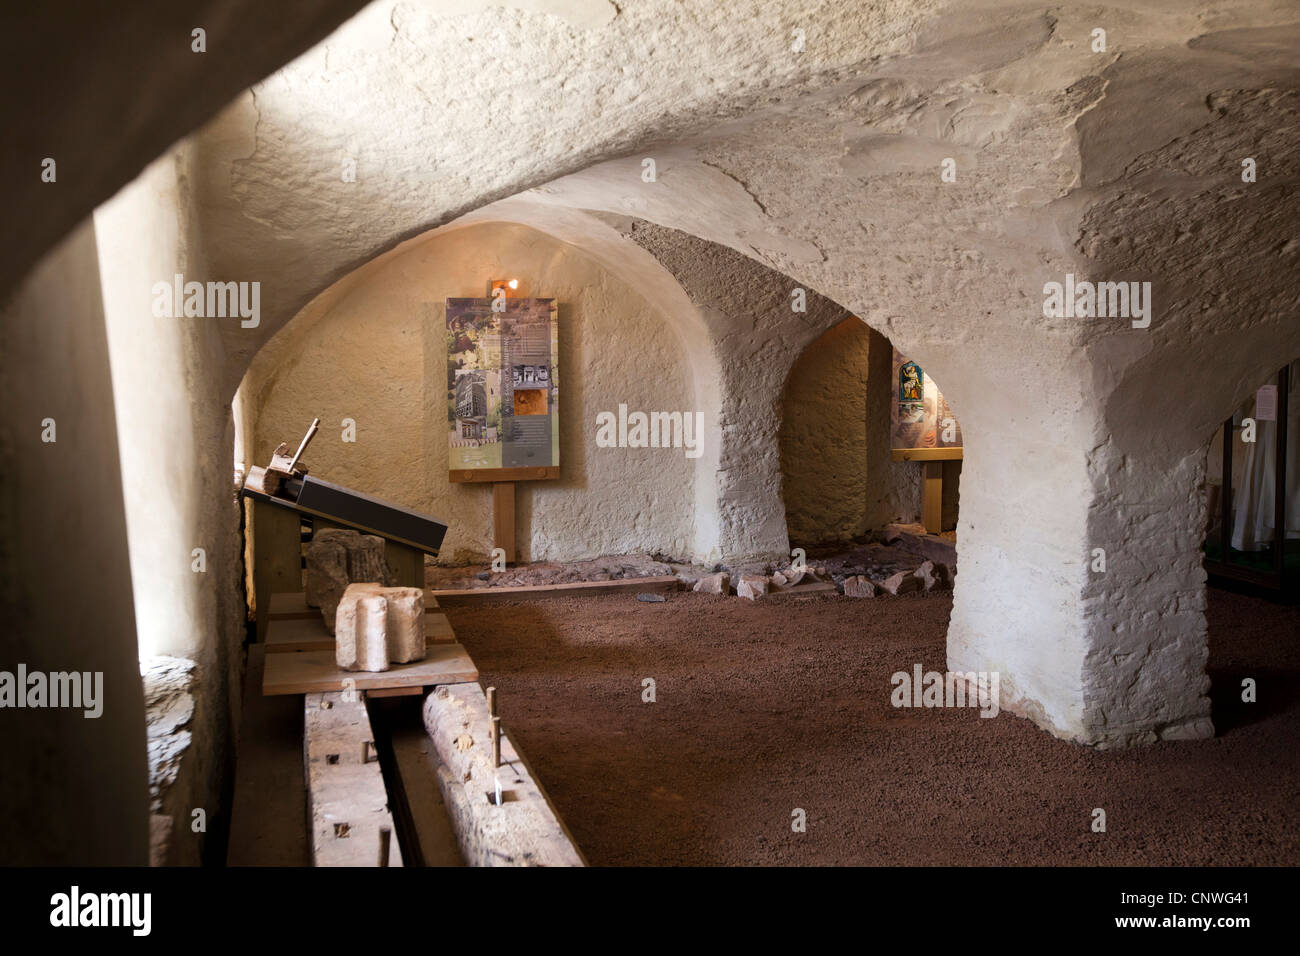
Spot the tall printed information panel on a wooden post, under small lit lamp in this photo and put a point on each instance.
(502, 387)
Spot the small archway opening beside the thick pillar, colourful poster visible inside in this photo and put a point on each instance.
(870, 457)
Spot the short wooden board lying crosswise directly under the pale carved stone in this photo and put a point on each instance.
(317, 672)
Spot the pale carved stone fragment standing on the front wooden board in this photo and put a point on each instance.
(378, 626)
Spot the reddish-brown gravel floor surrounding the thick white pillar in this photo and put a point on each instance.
(764, 708)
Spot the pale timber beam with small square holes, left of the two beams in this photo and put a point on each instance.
(348, 802)
